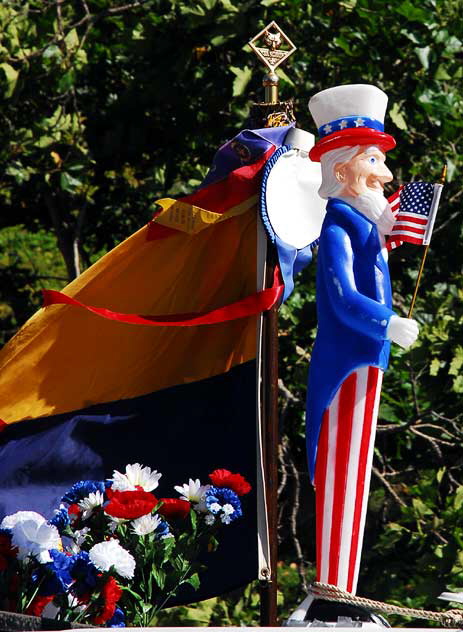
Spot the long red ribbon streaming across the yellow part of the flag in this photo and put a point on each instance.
(249, 306)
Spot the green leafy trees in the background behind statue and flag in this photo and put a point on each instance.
(106, 106)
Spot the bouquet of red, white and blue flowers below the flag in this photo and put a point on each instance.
(113, 551)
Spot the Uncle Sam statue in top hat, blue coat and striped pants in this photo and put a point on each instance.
(356, 323)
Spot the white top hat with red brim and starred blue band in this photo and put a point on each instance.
(349, 115)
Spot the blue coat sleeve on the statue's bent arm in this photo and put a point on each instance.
(354, 309)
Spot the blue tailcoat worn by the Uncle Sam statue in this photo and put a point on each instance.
(353, 307)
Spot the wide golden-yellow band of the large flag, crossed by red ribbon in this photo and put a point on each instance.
(64, 359)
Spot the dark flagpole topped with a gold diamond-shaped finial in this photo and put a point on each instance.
(270, 113)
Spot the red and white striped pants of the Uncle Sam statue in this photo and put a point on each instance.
(342, 476)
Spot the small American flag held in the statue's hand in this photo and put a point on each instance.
(414, 207)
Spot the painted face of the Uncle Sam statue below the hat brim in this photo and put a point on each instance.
(365, 172)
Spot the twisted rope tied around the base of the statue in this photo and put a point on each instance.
(448, 619)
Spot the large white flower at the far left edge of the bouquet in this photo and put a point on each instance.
(32, 535)
